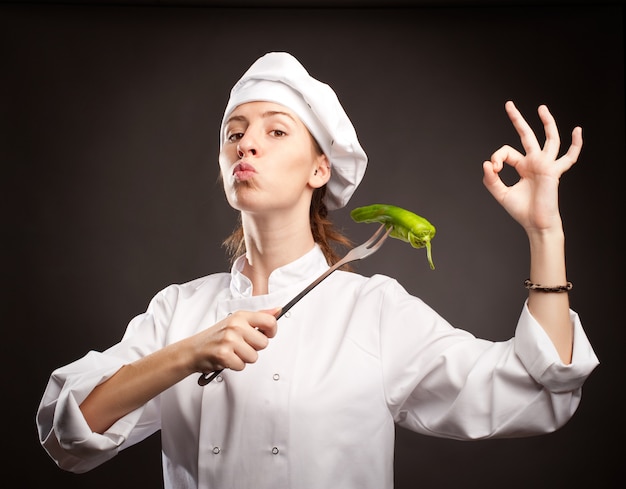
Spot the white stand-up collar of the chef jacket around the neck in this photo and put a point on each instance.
(305, 268)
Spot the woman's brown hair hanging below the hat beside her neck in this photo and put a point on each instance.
(325, 234)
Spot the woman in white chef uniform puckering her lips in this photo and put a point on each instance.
(349, 361)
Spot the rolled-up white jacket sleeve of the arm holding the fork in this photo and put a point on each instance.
(63, 431)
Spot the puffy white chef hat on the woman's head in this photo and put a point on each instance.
(280, 78)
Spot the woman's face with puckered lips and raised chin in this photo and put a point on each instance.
(269, 159)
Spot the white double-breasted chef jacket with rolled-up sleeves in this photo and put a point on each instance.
(317, 410)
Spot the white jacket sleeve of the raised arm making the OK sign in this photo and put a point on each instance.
(443, 381)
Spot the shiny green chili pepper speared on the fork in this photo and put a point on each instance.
(407, 226)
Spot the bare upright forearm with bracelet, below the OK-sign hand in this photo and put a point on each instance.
(551, 309)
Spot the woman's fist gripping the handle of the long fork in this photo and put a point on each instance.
(234, 341)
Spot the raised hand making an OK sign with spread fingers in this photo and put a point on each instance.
(533, 199)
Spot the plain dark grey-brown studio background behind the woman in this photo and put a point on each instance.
(108, 141)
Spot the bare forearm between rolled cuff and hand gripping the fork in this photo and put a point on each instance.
(134, 385)
